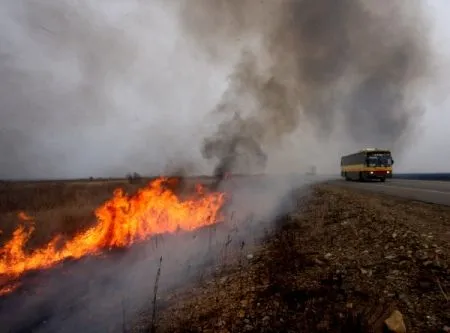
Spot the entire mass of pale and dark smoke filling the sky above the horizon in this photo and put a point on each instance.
(94, 89)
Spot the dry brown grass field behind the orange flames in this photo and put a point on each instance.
(57, 207)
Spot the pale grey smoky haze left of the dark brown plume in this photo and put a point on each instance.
(99, 89)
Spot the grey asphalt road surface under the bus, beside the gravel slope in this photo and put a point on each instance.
(437, 192)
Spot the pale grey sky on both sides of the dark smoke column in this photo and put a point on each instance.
(111, 87)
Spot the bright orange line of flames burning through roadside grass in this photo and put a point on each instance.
(121, 221)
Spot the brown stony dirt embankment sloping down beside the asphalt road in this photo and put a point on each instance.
(342, 263)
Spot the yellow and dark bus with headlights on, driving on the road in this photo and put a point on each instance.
(367, 164)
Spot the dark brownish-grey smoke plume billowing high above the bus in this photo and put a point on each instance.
(324, 64)
